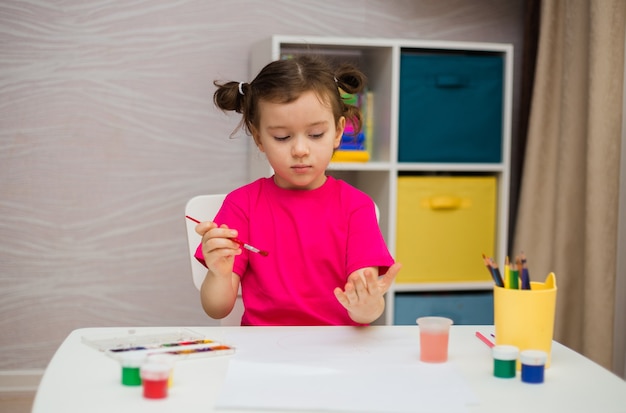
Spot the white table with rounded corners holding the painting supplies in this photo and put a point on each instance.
(79, 378)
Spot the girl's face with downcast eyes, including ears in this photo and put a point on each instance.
(298, 139)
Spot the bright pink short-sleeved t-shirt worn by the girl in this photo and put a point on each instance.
(315, 239)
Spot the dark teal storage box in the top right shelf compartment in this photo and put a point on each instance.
(451, 107)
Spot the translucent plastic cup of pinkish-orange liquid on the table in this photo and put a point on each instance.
(434, 337)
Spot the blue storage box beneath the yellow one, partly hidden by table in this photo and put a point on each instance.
(466, 307)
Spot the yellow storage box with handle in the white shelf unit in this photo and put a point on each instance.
(444, 226)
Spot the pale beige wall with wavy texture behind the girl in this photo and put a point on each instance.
(107, 128)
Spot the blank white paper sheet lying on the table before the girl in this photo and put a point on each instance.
(348, 386)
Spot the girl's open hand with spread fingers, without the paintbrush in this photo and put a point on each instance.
(363, 294)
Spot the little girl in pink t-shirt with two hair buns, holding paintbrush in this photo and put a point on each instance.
(325, 247)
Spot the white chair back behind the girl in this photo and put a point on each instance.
(204, 208)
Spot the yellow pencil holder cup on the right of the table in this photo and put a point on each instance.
(525, 318)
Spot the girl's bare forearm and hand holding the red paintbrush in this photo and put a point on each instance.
(218, 292)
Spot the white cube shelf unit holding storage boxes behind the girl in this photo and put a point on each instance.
(379, 59)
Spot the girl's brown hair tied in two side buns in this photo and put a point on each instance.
(283, 81)
